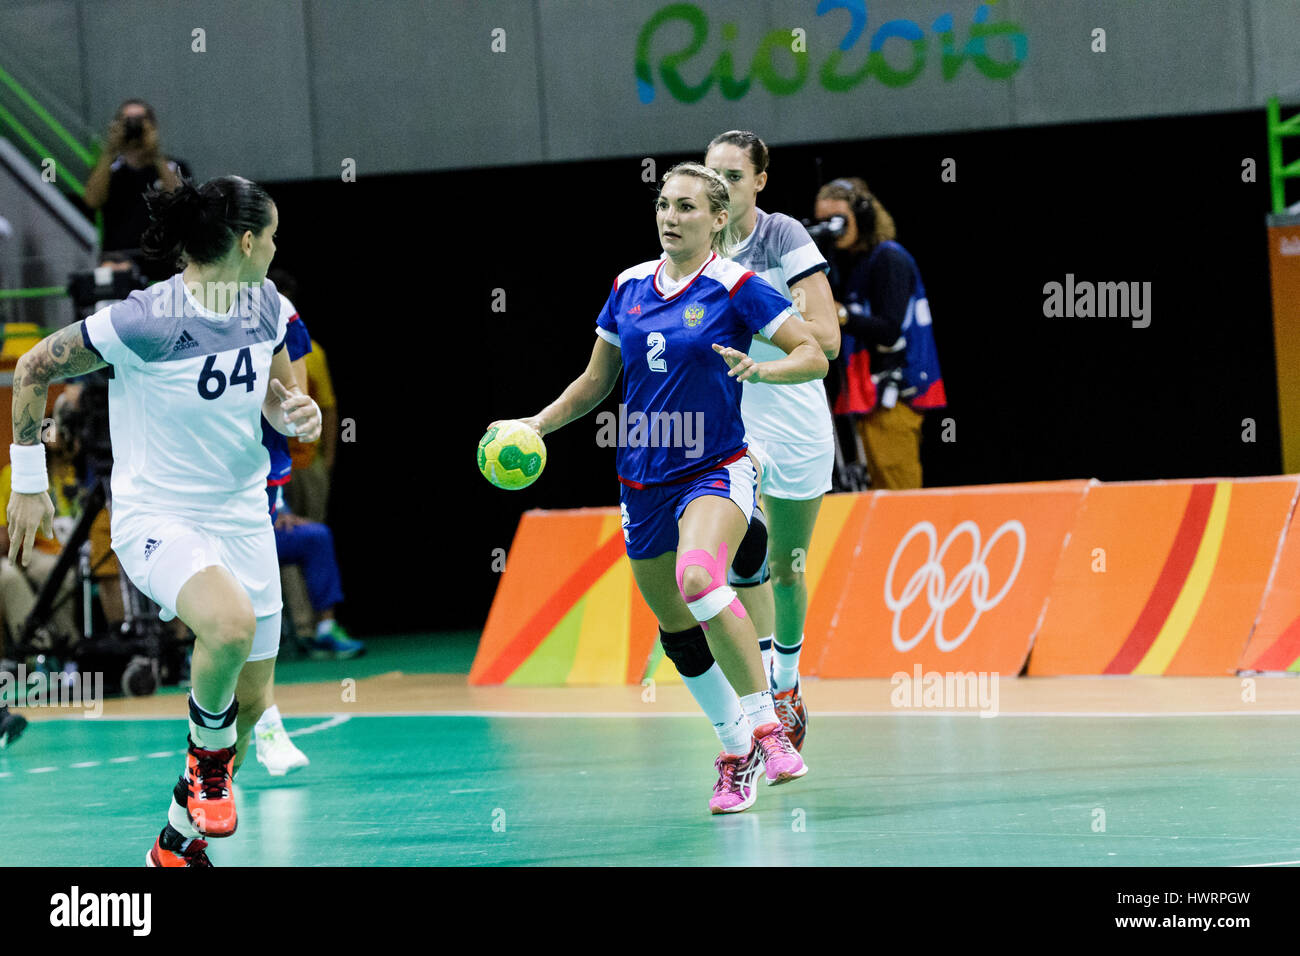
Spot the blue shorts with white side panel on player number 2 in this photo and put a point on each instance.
(651, 514)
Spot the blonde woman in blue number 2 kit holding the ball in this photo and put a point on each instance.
(681, 330)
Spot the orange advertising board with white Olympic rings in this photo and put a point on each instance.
(948, 579)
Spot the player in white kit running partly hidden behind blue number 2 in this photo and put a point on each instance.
(790, 429)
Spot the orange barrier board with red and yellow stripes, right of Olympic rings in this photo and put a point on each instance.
(1164, 578)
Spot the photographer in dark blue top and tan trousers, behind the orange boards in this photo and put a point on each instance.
(889, 362)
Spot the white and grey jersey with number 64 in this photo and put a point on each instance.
(185, 404)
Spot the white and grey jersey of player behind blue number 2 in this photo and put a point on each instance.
(781, 252)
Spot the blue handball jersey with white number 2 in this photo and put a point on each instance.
(681, 412)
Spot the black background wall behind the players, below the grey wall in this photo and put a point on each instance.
(398, 276)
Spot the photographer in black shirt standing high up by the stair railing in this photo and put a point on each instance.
(131, 165)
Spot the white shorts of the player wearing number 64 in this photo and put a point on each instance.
(161, 553)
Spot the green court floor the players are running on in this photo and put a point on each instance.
(882, 791)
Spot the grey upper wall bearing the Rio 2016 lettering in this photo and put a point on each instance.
(292, 89)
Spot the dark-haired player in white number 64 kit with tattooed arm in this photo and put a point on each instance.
(197, 361)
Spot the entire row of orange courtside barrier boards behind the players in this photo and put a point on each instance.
(1058, 578)
